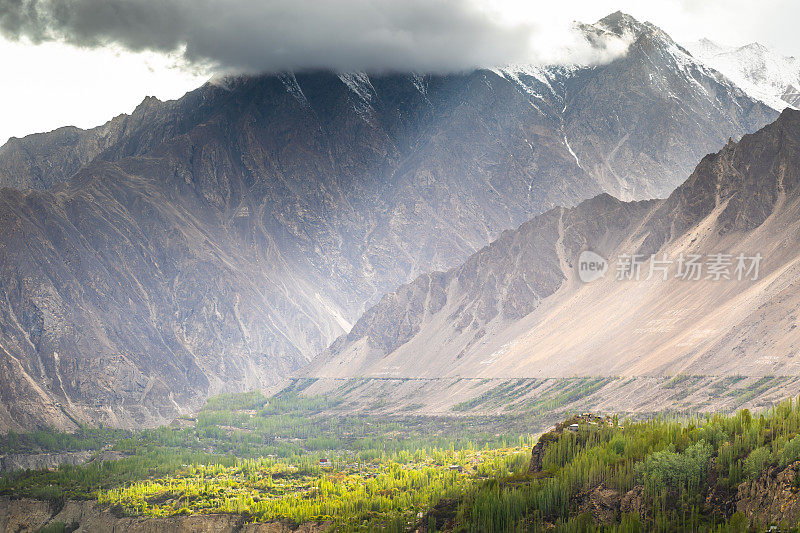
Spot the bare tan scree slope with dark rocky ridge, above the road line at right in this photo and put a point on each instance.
(518, 309)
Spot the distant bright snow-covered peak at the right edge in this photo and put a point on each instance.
(762, 73)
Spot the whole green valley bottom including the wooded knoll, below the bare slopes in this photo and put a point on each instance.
(331, 462)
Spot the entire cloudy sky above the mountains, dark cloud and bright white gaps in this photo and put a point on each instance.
(81, 62)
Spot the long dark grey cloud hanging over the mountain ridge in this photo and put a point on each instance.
(253, 35)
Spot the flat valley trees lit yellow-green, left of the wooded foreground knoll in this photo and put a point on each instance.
(282, 457)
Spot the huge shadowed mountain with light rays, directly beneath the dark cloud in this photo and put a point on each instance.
(219, 241)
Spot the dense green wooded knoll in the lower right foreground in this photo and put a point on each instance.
(664, 468)
